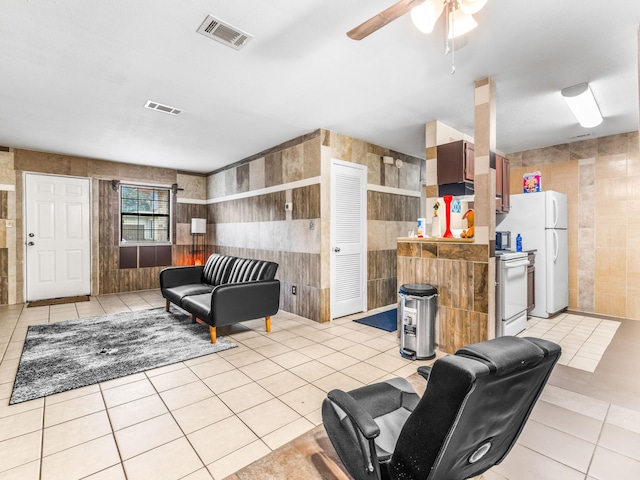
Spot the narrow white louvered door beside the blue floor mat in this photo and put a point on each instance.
(348, 238)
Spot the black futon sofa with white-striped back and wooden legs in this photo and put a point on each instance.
(224, 291)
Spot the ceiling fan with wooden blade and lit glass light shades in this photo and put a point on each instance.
(424, 14)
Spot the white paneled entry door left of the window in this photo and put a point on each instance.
(57, 236)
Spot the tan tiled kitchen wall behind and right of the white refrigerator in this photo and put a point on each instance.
(600, 177)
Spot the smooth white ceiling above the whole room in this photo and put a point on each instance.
(75, 75)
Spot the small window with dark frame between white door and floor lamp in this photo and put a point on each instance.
(145, 214)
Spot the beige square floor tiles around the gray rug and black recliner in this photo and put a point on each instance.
(211, 416)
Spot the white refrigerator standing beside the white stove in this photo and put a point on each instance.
(541, 219)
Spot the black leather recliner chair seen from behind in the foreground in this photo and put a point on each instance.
(471, 414)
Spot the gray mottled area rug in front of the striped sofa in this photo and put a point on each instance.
(65, 355)
